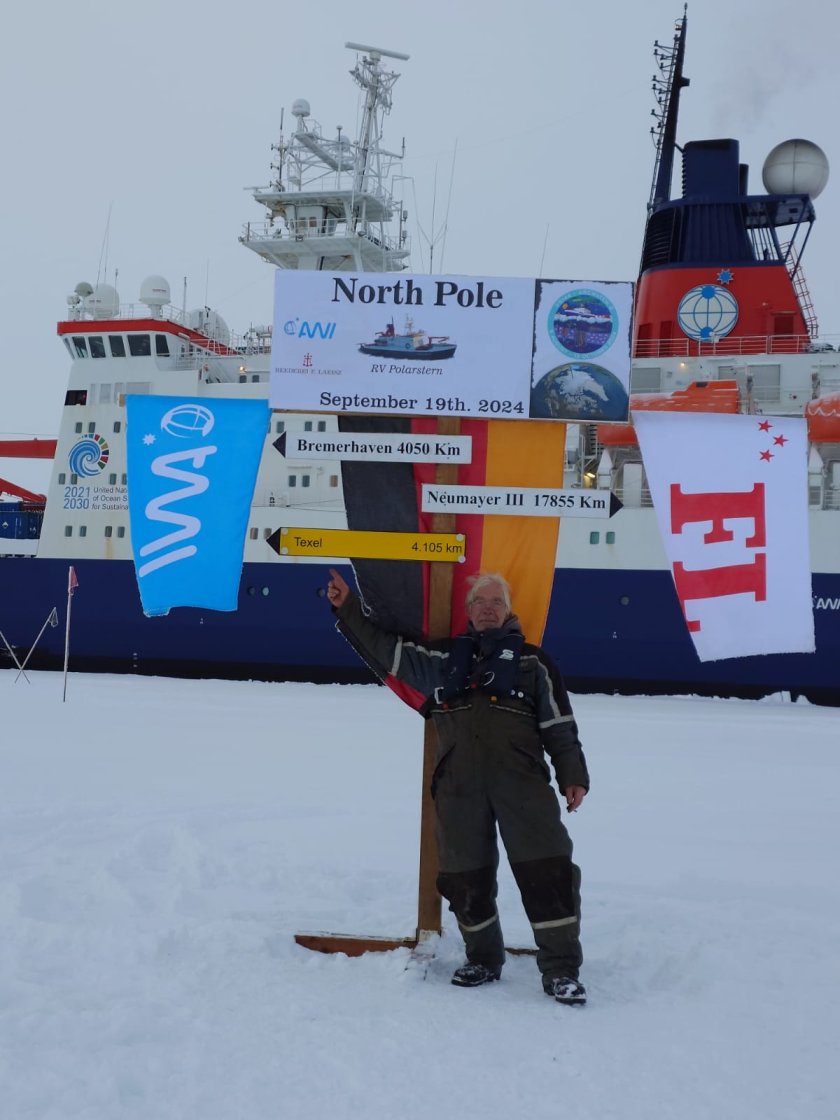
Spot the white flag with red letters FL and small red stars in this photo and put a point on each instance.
(731, 494)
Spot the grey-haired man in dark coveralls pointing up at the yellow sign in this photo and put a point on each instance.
(499, 706)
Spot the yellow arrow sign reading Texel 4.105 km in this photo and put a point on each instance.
(369, 546)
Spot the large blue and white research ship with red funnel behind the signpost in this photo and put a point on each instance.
(724, 322)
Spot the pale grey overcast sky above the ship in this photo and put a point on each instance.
(161, 114)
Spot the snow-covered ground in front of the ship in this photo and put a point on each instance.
(162, 842)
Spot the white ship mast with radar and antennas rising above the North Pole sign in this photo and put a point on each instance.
(331, 206)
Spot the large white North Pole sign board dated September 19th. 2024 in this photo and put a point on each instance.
(445, 346)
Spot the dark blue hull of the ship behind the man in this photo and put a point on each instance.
(284, 630)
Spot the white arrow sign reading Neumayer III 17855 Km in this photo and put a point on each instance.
(519, 501)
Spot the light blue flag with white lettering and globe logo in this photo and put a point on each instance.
(192, 468)
